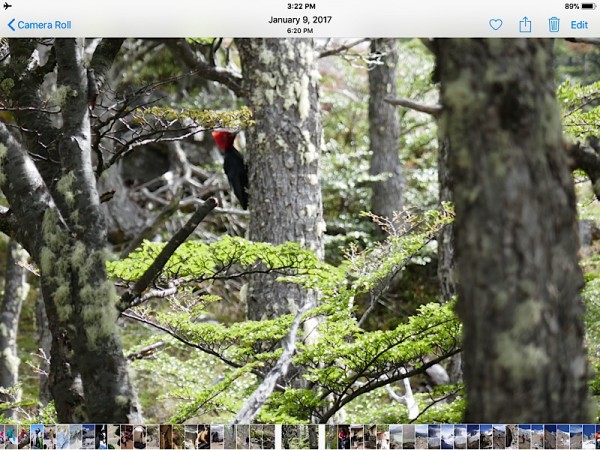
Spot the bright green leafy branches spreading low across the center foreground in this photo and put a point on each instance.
(341, 365)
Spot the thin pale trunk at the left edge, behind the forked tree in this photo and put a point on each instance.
(15, 292)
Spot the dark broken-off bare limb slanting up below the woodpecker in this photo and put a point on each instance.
(179, 238)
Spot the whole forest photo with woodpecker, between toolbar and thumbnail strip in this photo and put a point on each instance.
(412, 235)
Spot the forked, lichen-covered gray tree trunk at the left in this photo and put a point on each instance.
(56, 207)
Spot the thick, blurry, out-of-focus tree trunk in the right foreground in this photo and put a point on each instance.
(516, 233)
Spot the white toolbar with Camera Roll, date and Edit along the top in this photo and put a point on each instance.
(308, 18)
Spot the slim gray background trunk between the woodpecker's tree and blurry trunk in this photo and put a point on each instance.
(384, 129)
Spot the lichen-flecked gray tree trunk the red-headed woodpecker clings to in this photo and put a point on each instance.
(283, 154)
